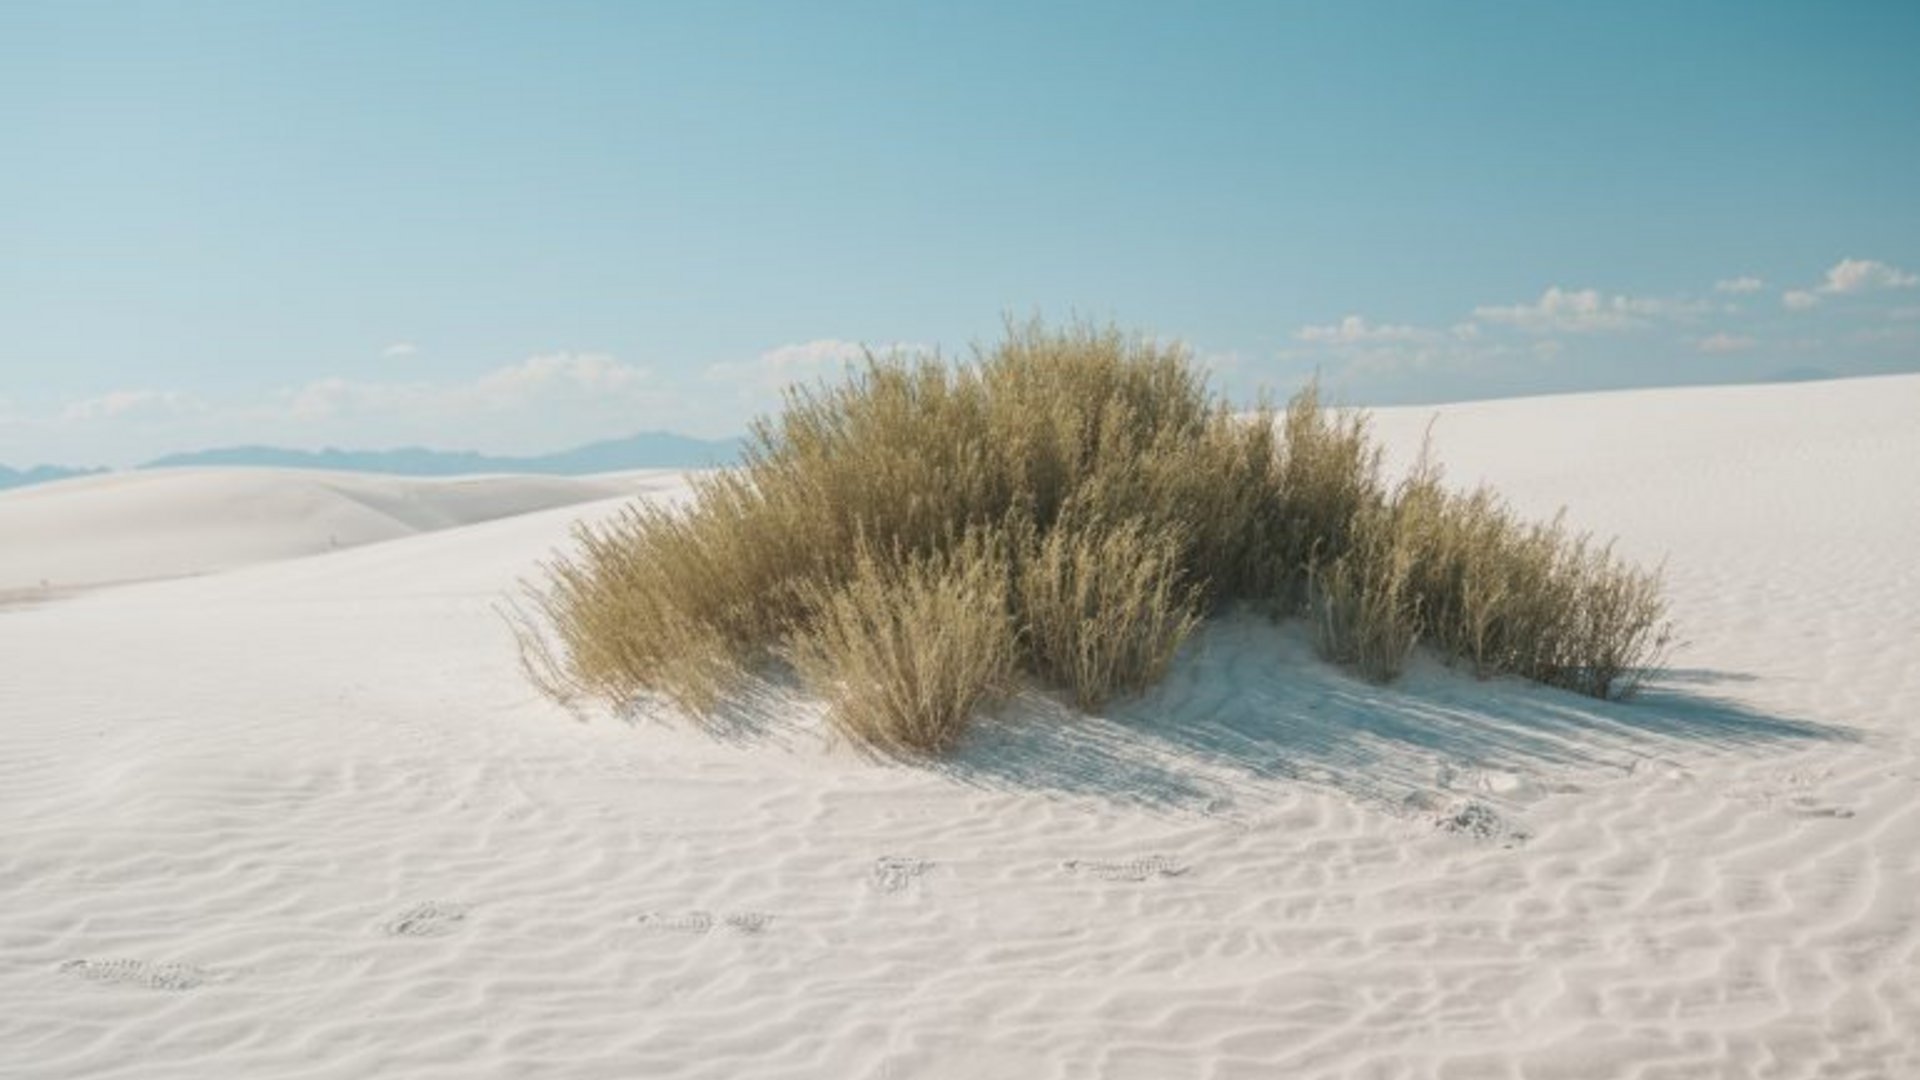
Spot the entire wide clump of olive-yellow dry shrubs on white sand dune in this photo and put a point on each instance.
(1067, 508)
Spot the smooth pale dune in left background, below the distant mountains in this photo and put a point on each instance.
(124, 528)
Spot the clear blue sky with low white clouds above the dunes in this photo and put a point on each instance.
(517, 228)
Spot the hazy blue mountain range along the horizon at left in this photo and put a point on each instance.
(648, 451)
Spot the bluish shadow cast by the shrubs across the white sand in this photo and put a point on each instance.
(1251, 712)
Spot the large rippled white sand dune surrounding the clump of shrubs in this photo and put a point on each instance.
(306, 820)
